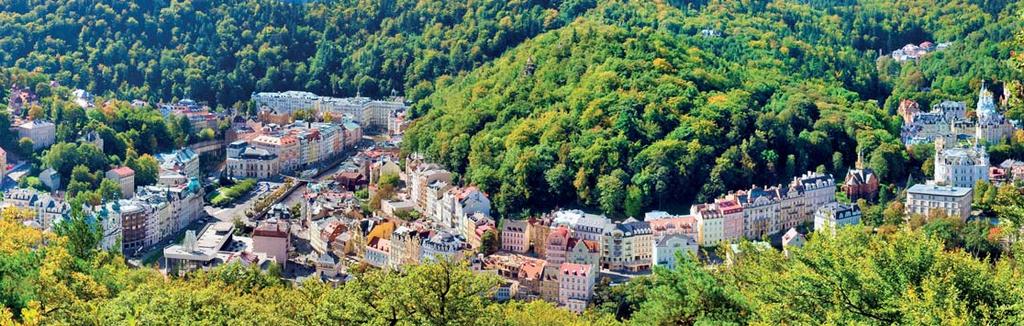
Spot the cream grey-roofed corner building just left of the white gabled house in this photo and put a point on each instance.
(627, 247)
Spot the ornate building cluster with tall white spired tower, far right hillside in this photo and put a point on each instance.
(948, 120)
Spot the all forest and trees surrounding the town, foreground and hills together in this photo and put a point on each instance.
(617, 106)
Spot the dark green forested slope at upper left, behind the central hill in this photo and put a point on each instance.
(221, 52)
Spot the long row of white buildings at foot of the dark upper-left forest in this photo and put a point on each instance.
(369, 113)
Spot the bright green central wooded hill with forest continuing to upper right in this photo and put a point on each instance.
(638, 105)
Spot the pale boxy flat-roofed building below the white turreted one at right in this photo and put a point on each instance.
(952, 201)
